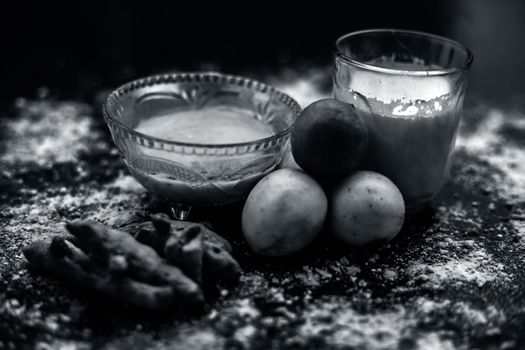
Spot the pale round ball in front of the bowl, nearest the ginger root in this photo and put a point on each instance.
(283, 213)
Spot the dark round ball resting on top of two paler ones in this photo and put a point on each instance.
(328, 138)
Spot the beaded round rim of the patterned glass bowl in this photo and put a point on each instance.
(200, 77)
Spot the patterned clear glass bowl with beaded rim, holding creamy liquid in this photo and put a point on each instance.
(196, 174)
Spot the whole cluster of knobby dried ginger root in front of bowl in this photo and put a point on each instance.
(165, 264)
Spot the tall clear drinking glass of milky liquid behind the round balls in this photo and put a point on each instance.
(409, 88)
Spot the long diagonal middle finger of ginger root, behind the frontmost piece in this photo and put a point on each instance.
(120, 252)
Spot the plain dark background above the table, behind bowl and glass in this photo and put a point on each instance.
(77, 48)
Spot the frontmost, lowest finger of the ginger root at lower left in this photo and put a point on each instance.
(63, 260)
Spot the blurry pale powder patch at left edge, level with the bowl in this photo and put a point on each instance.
(46, 132)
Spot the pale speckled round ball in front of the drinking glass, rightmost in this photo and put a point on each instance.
(366, 207)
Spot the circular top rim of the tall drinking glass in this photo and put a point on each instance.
(431, 72)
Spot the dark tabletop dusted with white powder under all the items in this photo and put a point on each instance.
(453, 279)
